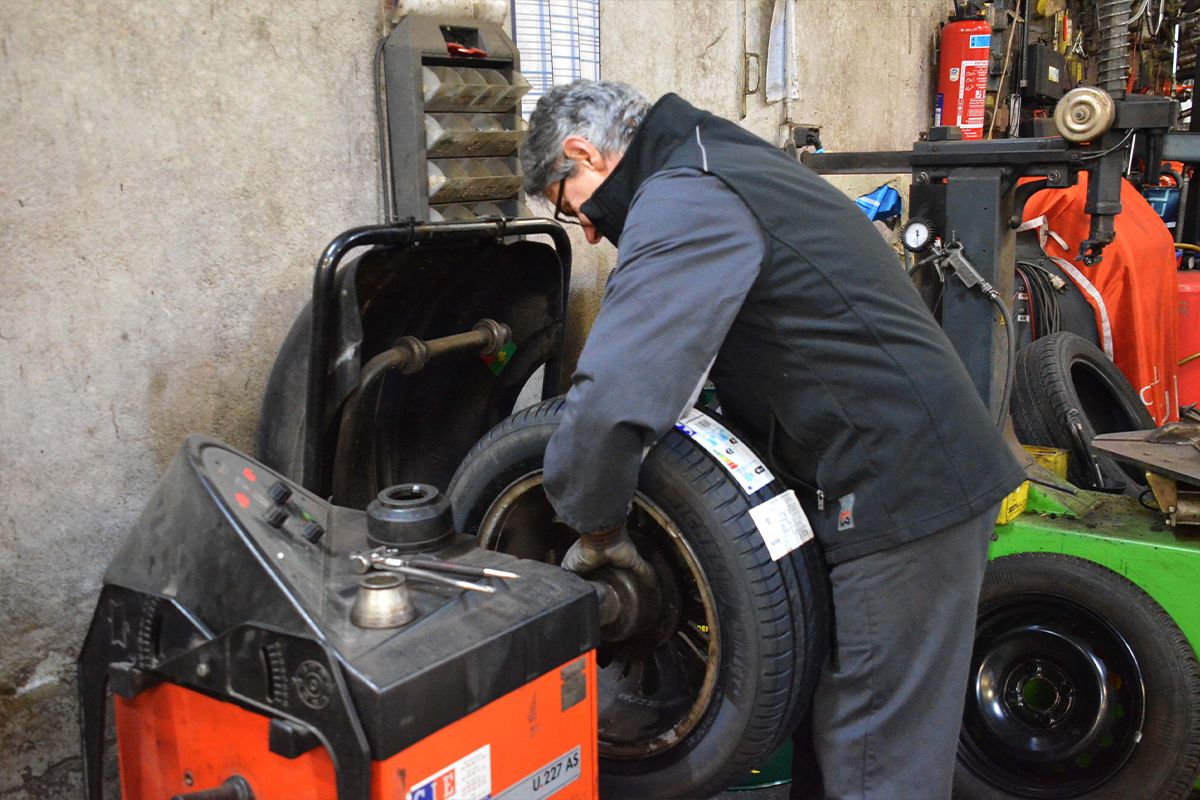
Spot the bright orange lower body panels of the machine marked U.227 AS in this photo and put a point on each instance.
(536, 743)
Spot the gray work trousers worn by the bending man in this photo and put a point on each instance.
(889, 706)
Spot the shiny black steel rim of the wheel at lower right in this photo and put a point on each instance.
(1057, 699)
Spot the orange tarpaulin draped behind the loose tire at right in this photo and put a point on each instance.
(1135, 294)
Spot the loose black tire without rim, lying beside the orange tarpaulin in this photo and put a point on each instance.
(1066, 393)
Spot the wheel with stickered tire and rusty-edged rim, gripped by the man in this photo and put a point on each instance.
(766, 622)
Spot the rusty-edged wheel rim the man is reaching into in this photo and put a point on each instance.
(652, 688)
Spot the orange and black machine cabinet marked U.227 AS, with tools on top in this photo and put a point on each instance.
(250, 660)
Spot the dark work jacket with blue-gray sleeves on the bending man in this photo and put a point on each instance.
(825, 354)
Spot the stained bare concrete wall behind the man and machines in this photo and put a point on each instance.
(169, 175)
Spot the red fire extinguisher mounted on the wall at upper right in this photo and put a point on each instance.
(963, 57)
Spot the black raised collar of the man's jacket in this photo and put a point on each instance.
(668, 125)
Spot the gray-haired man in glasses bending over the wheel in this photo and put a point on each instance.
(739, 263)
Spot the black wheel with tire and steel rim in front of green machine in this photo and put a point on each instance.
(1082, 687)
